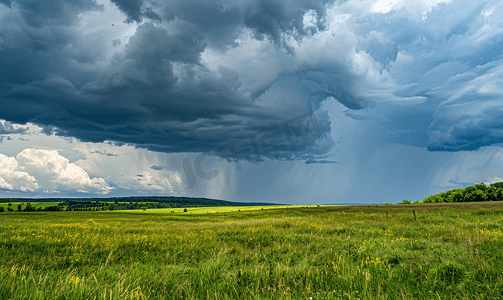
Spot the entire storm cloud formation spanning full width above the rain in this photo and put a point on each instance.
(195, 75)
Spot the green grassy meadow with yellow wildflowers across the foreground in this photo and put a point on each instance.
(452, 251)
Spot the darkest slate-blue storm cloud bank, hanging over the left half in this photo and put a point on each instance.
(138, 99)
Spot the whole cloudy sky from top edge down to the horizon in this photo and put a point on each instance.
(282, 101)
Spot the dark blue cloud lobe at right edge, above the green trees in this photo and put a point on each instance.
(472, 116)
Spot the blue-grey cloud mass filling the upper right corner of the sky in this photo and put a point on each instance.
(451, 75)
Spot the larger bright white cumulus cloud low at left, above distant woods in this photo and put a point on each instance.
(56, 172)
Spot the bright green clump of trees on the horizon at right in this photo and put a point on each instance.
(474, 193)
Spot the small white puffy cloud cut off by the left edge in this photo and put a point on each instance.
(14, 180)
